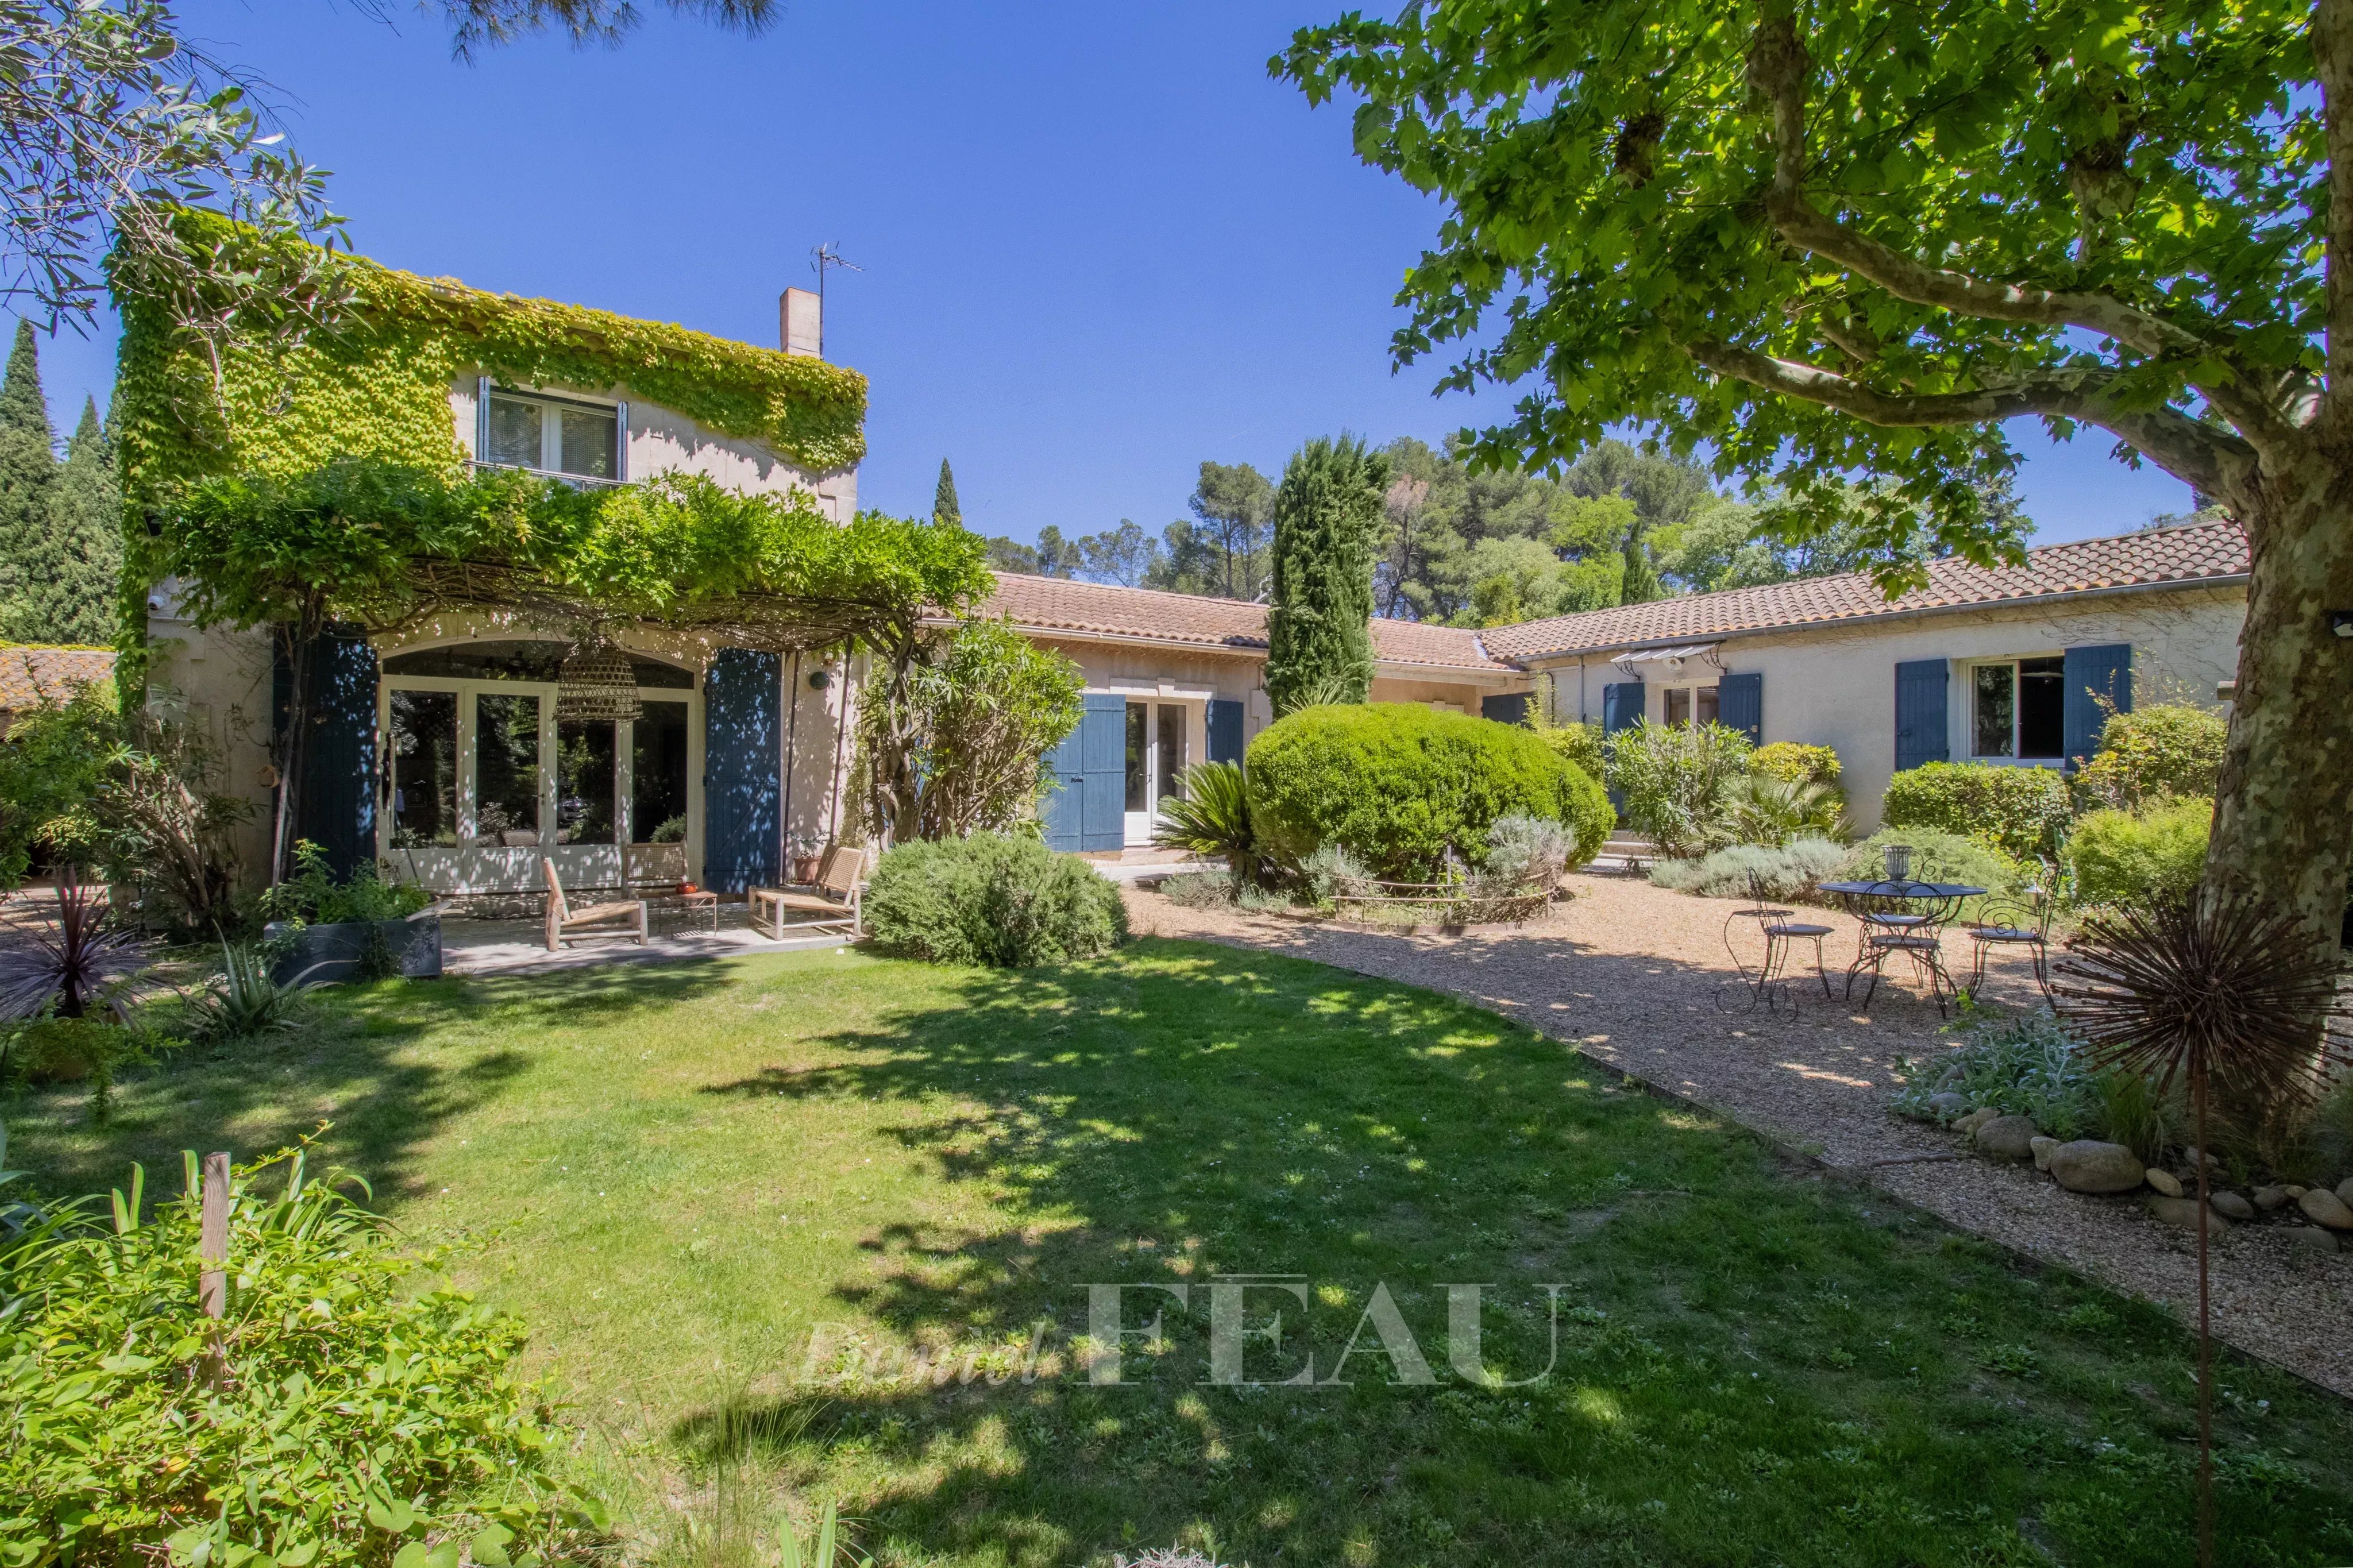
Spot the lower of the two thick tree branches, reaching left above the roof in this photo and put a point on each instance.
(2197, 455)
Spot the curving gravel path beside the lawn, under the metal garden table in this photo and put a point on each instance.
(1632, 974)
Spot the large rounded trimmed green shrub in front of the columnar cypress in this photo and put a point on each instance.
(1401, 784)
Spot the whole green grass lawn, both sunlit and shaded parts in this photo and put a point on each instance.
(679, 1174)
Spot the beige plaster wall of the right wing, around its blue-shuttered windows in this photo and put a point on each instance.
(1837, 685)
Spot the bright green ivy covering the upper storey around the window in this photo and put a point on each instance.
(380, 384)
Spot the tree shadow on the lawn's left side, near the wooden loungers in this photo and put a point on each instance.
(387, 1064)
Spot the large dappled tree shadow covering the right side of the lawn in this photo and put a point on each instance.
(1752, 1367)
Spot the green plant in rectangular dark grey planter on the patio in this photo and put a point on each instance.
(356, 930)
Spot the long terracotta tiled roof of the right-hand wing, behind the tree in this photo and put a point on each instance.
(2192, 554)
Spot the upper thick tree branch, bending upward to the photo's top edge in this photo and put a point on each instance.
(1778, 69)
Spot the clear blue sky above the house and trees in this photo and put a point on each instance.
(1100, 243)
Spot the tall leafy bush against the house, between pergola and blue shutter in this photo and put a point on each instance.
(961, 744)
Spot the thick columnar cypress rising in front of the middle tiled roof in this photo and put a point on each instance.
(1328, 525)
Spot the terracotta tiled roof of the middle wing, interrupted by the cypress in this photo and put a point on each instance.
(1107, 610)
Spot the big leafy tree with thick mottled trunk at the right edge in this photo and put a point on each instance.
(1825, 236)
